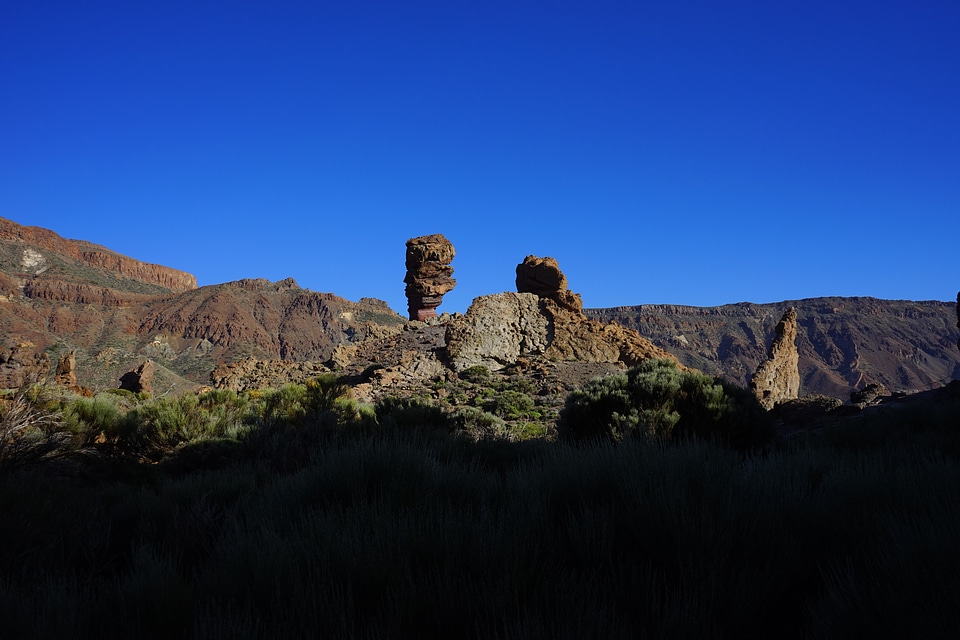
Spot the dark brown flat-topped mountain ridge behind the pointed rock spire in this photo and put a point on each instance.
(843, 343)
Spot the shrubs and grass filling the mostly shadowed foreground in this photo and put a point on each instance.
(299, 512)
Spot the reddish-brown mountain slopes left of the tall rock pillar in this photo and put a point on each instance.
(113, 312)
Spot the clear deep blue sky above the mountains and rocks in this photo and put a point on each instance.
(664, 152)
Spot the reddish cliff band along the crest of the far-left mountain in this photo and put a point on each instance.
(92, 255)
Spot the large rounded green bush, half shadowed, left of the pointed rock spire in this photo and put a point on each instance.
(656, 400)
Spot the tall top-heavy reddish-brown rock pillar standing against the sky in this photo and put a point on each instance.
(429, 274)
